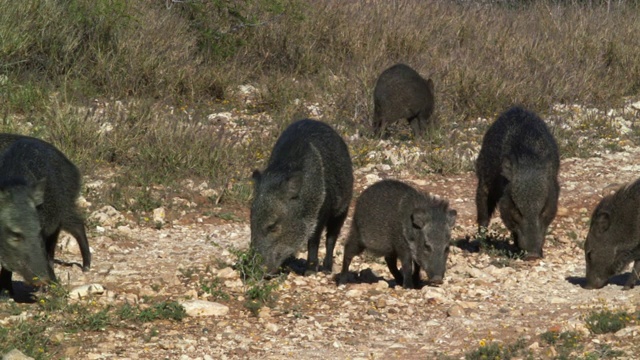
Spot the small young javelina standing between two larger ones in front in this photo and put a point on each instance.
(394, 220)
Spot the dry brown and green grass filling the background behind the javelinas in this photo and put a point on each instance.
(126, 86)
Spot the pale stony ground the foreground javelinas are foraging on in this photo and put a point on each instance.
(485, 297)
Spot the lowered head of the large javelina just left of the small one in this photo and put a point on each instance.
(277, 228)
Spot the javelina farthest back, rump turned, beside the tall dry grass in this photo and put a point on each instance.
(401, 93)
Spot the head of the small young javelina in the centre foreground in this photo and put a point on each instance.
(429, 239)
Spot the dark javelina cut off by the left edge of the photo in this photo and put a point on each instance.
(38, 190)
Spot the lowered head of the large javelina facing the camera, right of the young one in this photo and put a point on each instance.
(529, 204)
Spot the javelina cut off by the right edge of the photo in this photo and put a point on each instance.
(614, 237)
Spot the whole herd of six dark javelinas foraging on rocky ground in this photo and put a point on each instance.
(307, 187)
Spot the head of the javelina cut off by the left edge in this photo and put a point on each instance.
(22, 248)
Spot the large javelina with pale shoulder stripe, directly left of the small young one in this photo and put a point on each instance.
(306, 187)
